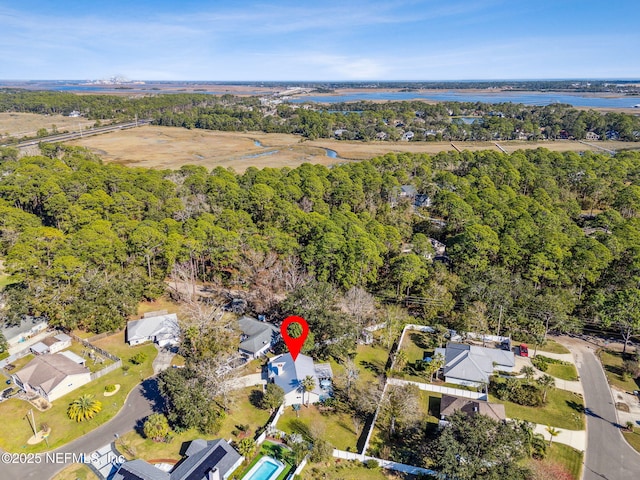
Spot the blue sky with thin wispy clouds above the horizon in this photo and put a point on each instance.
(319, 40)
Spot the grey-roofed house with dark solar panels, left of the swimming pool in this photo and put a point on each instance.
(204, 460)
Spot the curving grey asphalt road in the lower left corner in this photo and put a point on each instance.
(142, 401)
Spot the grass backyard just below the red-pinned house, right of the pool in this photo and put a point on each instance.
(335, 428)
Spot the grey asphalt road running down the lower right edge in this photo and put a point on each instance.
(608, 454)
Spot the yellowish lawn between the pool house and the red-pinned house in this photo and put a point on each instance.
(242, 412)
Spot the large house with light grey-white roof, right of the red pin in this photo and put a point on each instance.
(472, 365)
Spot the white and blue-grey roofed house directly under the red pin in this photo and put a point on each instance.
(288, 375)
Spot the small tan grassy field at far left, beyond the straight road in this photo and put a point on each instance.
(27, 124)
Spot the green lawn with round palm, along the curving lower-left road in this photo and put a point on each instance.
(16, 430)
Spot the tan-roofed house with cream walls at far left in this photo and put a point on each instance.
(51, 376)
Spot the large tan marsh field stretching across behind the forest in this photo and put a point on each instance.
(172, 147)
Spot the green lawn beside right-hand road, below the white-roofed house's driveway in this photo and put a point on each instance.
(562, 410)
